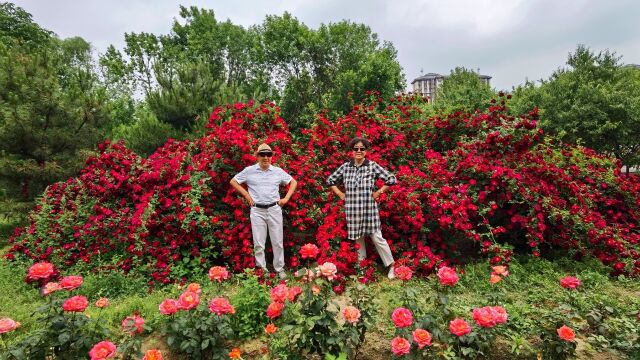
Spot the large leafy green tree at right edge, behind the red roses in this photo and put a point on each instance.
(594, 101)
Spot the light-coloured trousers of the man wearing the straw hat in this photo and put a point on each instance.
(263, 220)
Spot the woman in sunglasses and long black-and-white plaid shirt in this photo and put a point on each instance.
(358, 177)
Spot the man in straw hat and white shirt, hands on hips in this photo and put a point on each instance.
(263, 181)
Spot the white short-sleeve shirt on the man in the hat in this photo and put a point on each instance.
(264, 185)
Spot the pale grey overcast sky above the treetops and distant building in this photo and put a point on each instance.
(510, 40)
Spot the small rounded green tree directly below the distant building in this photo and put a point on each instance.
(463, 90)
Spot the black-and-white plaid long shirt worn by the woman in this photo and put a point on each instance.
(359, 182)
